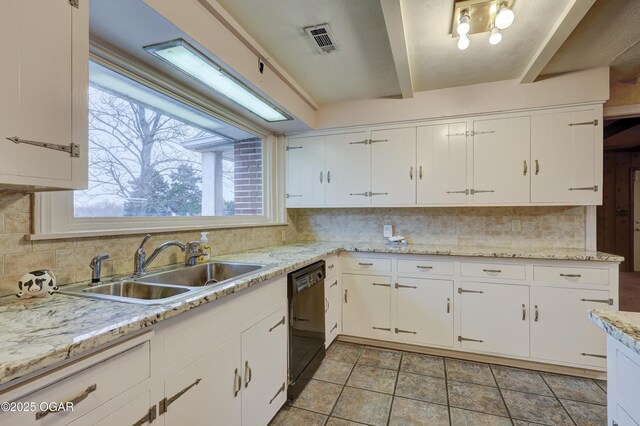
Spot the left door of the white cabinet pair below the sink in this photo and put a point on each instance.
(211, 387)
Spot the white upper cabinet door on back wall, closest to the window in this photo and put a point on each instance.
(305, 172)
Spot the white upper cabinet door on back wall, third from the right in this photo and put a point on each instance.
(442, 164)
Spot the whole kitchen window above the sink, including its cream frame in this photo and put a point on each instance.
(162, 157)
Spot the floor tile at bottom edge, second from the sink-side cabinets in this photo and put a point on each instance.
(363, 406)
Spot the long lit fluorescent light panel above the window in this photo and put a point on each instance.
(189, 60)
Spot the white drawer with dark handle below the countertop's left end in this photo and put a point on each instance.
(89, 388)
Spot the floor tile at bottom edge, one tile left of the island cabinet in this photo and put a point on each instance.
(536, 408)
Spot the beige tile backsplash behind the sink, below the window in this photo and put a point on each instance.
(69, 259)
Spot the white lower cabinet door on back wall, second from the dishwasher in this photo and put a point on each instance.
(425, 311)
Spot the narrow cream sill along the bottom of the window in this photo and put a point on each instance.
(137, 231)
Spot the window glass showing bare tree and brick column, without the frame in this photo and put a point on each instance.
(151, 155)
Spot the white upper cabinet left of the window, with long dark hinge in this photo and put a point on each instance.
(43, 81)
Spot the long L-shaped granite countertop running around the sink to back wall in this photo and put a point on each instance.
(39, 333)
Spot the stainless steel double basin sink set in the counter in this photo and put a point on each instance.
(166, 286)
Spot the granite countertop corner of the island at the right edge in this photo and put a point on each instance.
(622, 326)
